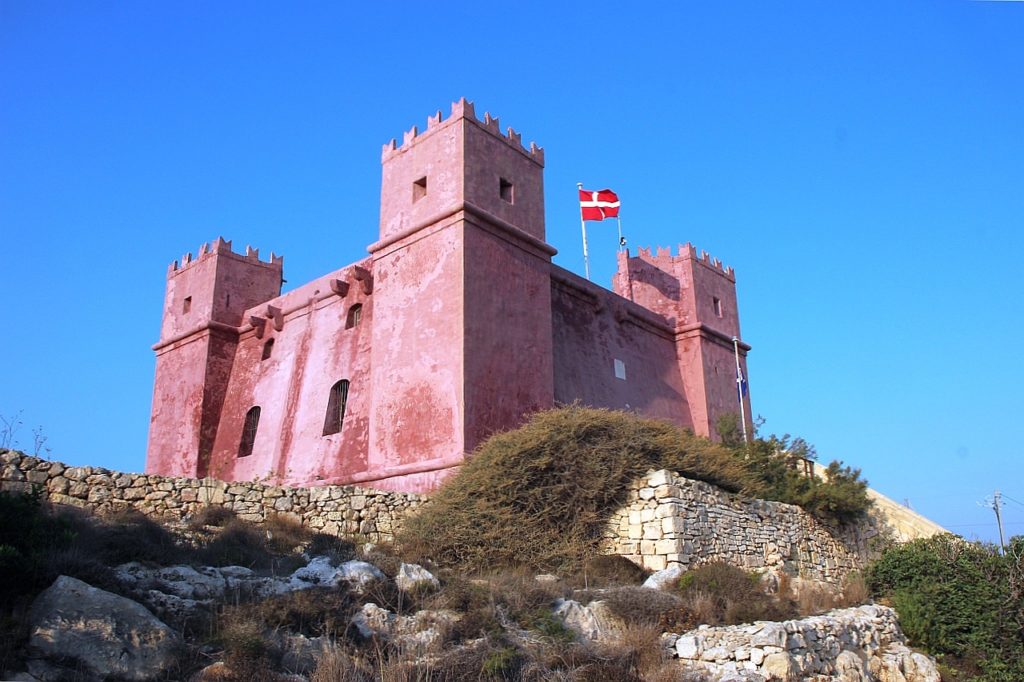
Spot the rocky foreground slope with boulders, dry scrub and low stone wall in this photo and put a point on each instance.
(159, 627)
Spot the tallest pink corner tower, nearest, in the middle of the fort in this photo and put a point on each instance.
(463, 276)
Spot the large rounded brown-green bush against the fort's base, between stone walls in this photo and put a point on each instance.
(540, 496)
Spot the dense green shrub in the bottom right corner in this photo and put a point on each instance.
(959, 600)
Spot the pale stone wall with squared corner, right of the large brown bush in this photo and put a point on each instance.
(669, 521)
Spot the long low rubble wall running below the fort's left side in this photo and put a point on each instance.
(332, 509)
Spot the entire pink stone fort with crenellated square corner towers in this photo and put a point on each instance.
(391, 371)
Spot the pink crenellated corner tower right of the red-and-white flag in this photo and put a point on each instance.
(698, 297)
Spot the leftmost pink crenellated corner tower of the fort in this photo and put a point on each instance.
(203, 310)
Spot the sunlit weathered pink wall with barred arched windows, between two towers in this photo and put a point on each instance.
(312, 352)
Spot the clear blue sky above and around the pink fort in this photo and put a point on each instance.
(861, 164)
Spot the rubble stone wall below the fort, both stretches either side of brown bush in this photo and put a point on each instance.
(667, 521)
